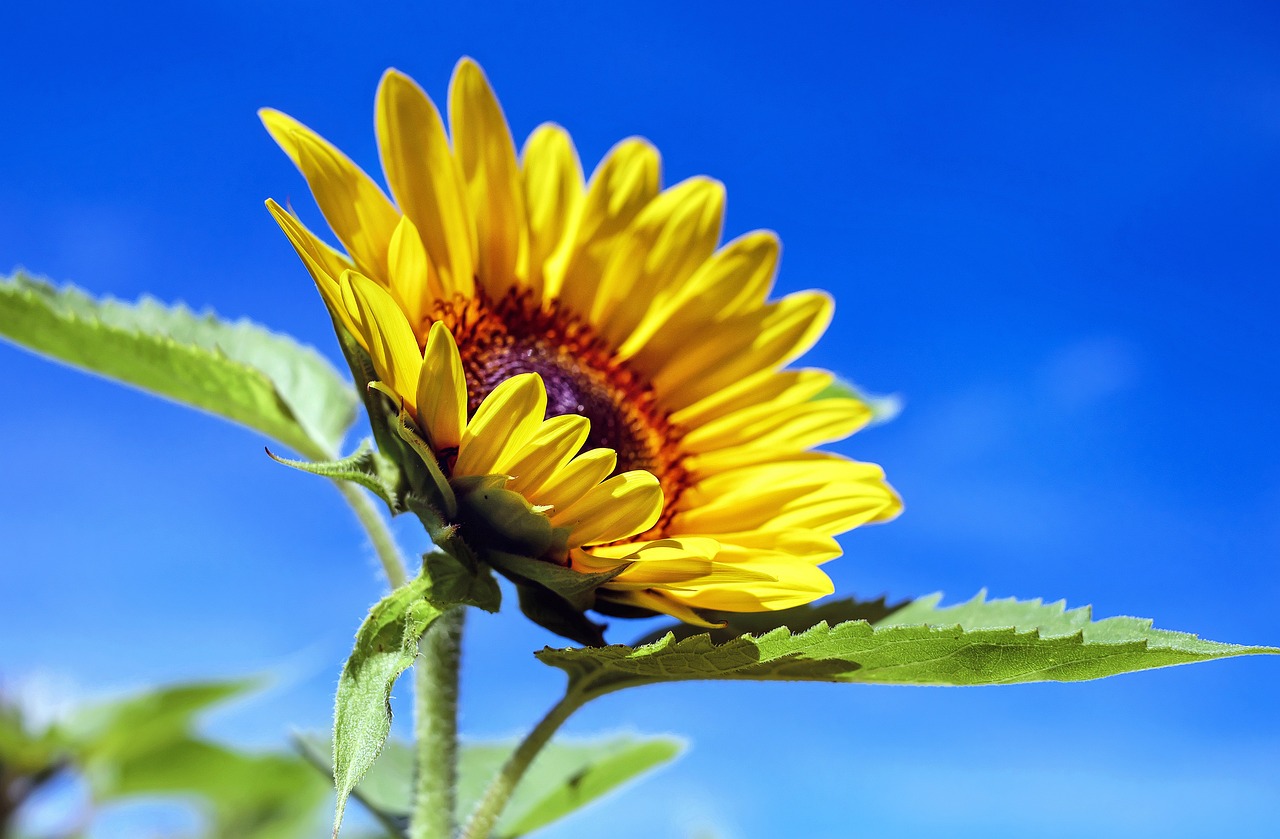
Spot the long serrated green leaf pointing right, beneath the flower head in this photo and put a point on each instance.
(980, 642)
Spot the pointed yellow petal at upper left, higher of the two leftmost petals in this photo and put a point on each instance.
(353, 204)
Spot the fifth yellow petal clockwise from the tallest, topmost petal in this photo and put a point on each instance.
(743, 345)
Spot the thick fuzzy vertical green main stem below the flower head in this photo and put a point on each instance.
(436, 705)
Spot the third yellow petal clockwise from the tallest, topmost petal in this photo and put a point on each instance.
(668, 243)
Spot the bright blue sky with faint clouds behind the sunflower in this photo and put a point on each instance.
(1054, 231)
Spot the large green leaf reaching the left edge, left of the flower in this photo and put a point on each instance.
(236, 371)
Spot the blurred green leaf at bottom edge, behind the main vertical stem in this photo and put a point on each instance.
(565, 778)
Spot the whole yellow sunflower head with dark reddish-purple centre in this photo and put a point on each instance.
(591, 344)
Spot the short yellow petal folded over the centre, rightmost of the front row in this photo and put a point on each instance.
(620, 508)
